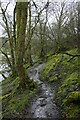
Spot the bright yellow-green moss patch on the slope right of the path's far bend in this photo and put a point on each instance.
(50, 66)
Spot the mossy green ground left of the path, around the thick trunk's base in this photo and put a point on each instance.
(14, 99)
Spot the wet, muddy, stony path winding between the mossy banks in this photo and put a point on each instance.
(43, 105)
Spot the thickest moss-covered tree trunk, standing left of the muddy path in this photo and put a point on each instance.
(21, 21)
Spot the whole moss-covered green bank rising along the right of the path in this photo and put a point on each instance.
(65, 69)
